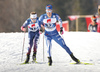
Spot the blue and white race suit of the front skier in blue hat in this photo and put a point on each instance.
(51, 32)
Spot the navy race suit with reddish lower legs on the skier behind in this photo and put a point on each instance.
(33, 34)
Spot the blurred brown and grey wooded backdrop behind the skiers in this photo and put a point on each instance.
(13, 13)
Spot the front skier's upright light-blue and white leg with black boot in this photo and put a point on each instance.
(49, 45)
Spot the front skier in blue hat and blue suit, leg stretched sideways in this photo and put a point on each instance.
(49, 20)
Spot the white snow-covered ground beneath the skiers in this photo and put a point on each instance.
(84, 45)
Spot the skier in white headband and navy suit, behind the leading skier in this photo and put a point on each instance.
(33, 34)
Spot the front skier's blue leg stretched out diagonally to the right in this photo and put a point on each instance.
(61, 42)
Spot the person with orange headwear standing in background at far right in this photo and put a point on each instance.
(93, 25)
